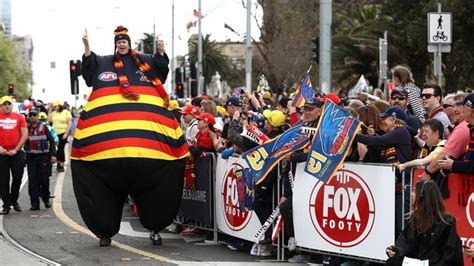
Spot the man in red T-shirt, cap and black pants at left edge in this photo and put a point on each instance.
(13, 134)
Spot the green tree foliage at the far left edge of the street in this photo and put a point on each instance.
(12, 70)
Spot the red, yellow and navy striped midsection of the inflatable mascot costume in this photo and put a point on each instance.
(112, 126)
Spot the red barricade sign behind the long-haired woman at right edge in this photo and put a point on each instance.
(460, 204)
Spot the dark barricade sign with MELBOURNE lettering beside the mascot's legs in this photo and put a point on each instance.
(196, 202)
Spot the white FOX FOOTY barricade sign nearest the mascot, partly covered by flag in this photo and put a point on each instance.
(232, 217)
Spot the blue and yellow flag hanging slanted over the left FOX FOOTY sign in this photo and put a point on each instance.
(262, 159)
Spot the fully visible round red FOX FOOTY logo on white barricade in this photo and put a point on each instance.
(343, 210)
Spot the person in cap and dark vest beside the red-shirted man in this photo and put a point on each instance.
(40, 151)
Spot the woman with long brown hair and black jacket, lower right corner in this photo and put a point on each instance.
(430, 233)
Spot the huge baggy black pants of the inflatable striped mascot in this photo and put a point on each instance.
(101, 188)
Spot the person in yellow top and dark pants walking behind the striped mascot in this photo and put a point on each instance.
(61, 120)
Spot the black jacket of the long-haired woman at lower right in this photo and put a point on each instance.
(440, 245)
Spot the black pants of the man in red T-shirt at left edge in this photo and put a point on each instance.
(15, 164)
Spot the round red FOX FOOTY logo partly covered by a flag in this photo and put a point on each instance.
(235, 219)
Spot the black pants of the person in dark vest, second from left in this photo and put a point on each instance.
(38, 166)
